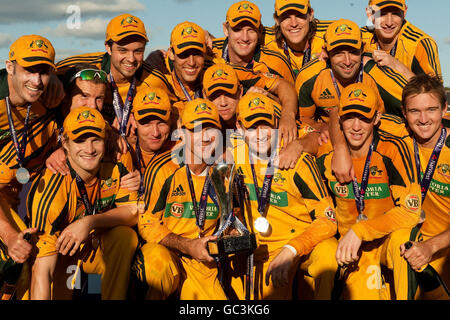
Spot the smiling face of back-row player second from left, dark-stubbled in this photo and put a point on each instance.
(127, 56)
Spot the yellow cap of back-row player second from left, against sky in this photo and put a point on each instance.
(123, 26)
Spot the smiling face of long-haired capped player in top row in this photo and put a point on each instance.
(295, 27)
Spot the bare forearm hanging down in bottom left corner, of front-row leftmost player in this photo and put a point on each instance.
(42, 277)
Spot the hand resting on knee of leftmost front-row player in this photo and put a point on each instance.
(73, 236)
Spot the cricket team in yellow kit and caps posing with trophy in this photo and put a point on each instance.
(319, 150)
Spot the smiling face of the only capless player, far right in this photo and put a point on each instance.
(424, 114)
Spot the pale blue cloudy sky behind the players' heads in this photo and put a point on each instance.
(55, 20)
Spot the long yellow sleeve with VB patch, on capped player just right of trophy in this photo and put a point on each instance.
(320, 206)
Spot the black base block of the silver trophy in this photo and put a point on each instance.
(232, 244)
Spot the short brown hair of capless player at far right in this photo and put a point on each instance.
(424, 83)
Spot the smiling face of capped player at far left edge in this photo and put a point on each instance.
(26, 85)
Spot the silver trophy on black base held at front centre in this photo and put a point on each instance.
(223, 180)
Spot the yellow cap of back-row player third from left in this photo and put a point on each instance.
(188, 35)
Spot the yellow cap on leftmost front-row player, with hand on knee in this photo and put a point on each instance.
(84, 120)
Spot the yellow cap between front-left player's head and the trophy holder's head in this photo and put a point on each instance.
(151, 102)
